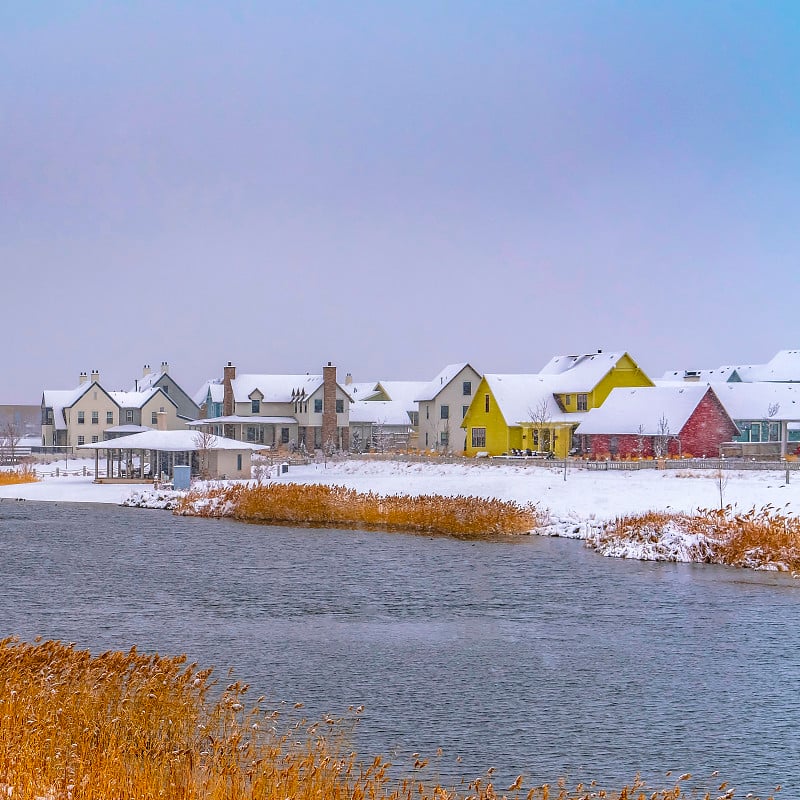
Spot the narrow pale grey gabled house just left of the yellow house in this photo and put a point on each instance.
(442, 405)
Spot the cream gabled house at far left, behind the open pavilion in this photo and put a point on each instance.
(88, 413)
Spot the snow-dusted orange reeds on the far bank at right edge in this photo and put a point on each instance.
(758, 538)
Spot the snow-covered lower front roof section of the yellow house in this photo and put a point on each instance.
(522, 397)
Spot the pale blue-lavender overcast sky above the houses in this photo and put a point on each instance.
(393, 187)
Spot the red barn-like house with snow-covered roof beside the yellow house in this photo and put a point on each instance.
(657, 421)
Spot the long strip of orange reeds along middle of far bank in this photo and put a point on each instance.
(315, 504)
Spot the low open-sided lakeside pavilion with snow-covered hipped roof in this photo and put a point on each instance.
(159, 452)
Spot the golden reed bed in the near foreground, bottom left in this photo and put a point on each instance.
(128, 726)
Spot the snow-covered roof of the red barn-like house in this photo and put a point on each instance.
(645, 410)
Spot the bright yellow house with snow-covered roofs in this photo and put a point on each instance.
(539, 412)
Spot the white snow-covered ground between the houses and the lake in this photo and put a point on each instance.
(584, 496)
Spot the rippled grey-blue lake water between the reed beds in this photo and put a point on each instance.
(533, 656)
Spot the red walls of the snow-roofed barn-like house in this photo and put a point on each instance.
(704, 431)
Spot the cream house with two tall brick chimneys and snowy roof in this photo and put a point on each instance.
(303, 411)
